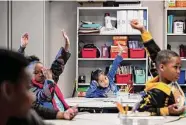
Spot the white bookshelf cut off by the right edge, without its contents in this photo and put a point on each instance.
(172, 38)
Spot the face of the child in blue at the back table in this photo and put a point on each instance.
(103, 80)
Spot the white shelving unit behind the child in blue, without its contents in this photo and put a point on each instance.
(84, 66)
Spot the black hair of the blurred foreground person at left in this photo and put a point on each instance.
(11, 65)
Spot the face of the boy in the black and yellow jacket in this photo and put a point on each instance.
(171, 70)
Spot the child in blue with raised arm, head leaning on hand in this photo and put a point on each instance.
(101, 83)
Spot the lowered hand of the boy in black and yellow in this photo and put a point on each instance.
(175, 110)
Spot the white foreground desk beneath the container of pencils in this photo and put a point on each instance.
(107, 119)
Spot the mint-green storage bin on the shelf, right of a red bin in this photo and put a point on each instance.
(140, 77)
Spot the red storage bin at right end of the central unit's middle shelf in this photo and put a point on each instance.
(137, 53)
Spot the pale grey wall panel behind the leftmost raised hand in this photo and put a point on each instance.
(28, 17)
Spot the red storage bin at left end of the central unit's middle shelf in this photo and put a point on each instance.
(89, 52)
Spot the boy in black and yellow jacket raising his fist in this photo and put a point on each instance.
(161, 97)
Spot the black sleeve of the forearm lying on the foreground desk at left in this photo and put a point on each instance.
(45, 113)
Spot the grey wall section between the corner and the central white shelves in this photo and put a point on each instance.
(59, 17)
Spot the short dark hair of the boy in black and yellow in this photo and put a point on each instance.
(164, 56)
